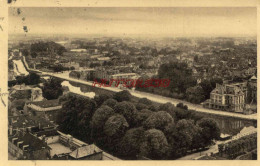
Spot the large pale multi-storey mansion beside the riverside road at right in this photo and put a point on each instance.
(227, 97)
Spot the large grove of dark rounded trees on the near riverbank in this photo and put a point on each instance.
(127, 128)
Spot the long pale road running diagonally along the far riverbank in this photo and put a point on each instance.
(156, 98)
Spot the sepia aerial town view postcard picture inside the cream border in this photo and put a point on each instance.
(132, 83)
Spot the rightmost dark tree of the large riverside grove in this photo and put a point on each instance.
(210, 130)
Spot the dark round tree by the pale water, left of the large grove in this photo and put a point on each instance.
(52, 89)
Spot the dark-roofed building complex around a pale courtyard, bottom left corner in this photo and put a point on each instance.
(50, 144)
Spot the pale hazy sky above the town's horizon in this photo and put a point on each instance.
(174, 21)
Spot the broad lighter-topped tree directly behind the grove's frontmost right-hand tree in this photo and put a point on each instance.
(158, 120)
